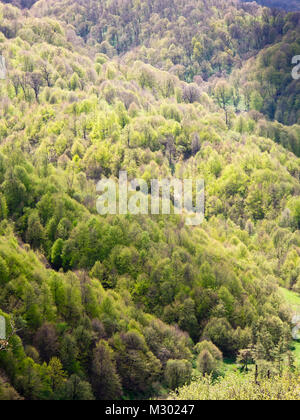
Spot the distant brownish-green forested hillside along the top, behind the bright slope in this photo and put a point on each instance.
(194, 38)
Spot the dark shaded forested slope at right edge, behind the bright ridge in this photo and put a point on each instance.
(268, 77)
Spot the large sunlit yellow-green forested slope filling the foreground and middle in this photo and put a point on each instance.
(81, 286)
